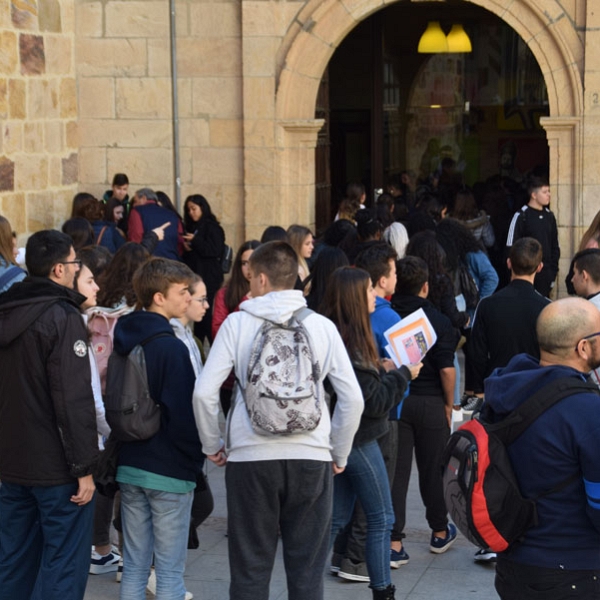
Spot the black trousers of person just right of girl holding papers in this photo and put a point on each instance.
(423, 427)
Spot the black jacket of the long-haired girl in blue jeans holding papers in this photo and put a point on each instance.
(381, 392)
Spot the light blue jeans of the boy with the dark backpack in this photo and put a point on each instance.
(154, 522)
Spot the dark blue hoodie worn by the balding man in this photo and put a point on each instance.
(563, 441)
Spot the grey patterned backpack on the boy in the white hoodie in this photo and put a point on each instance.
(282, 391)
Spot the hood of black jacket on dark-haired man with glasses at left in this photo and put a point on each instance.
(25, 301)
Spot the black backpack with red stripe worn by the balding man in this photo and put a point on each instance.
(480, 488)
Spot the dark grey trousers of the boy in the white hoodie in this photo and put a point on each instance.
(293, 495)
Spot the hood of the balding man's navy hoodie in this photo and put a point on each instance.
(508, 387)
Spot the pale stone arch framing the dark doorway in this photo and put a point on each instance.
(321, 25)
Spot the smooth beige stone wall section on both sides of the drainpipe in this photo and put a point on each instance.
(123, 58)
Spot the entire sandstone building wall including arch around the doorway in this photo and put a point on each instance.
(86, 91)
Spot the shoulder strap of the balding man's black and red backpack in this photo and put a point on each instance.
(509, 429)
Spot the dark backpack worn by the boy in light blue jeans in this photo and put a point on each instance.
(130, 411)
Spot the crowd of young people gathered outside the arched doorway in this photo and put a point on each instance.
(332, 484)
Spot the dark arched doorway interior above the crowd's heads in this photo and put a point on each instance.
(393, 110)
